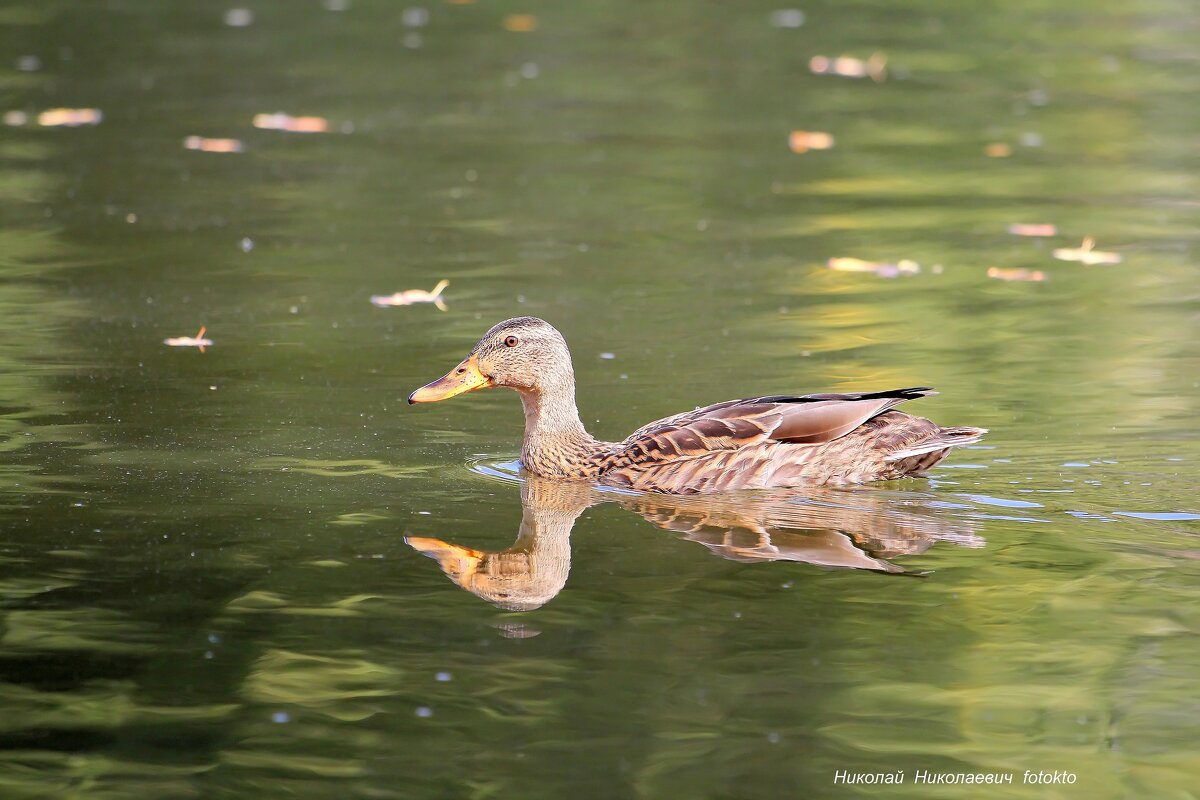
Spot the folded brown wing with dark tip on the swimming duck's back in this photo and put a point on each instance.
(808, 419)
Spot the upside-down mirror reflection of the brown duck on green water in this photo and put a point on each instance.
(832, 528)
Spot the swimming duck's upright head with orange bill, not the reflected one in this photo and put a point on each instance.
(525, 353)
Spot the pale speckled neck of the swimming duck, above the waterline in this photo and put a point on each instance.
(556, 444)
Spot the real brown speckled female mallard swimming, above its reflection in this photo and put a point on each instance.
(749, 444)
